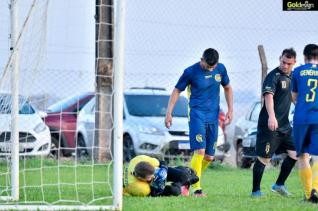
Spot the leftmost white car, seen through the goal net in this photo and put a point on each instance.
(34, 135)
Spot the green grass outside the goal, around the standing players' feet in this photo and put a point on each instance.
(229, 188)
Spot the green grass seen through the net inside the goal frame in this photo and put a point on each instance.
(58, 181)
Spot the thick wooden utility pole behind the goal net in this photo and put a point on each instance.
(104, 79)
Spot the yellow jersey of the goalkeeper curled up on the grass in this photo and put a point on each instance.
(133, 186)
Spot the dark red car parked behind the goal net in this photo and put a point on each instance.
(61, 119)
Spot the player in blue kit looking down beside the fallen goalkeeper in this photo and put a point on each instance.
(203, 80)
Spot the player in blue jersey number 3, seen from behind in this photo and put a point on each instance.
(304, 88)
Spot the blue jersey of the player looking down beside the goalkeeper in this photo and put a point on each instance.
(203, 90)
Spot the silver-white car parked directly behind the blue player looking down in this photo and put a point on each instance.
(144, 130)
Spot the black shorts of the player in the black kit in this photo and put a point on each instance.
(269, 142)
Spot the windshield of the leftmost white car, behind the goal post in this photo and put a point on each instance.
(6, 105)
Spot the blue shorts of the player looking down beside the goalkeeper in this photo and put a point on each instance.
(203, 135)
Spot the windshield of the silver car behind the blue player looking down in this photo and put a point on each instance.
(155, 105)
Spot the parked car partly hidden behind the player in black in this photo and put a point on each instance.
(245, 137)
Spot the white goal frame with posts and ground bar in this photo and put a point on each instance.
(119, 31)
